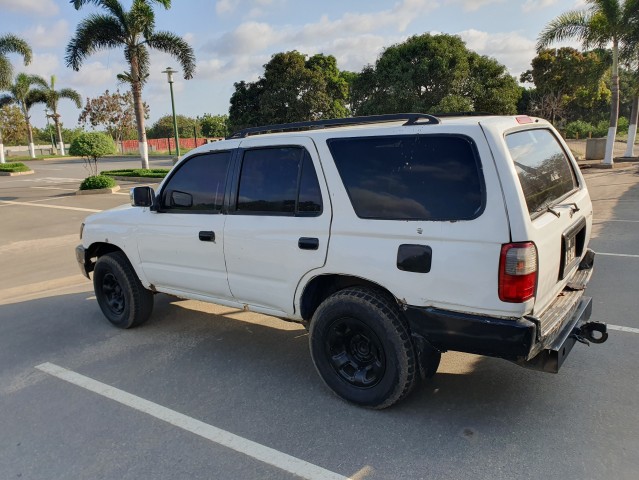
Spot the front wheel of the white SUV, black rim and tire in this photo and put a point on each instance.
(121, 296)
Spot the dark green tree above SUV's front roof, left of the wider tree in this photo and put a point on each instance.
(293, 88)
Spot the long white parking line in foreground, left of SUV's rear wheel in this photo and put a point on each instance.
(252, 449)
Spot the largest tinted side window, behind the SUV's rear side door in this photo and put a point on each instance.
(411, 177)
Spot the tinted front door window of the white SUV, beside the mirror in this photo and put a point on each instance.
(198, 185)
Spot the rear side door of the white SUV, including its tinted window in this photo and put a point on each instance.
(279, 221)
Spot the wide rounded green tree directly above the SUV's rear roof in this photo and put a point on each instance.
(433, 73)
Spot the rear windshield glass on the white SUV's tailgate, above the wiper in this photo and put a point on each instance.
(544, 170)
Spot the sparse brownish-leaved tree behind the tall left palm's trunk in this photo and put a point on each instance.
(115, 112)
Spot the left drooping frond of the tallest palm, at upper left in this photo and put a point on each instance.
(94, 33)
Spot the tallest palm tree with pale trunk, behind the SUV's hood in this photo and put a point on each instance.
(134, 31)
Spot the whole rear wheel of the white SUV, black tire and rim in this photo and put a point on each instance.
(362, 348)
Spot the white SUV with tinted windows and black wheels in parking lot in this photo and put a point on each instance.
(392, 238)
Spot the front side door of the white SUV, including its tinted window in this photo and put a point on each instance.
(181, 245)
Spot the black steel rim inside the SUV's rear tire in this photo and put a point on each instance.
(355, 352)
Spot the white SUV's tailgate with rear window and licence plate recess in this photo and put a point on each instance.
(557, 211)
